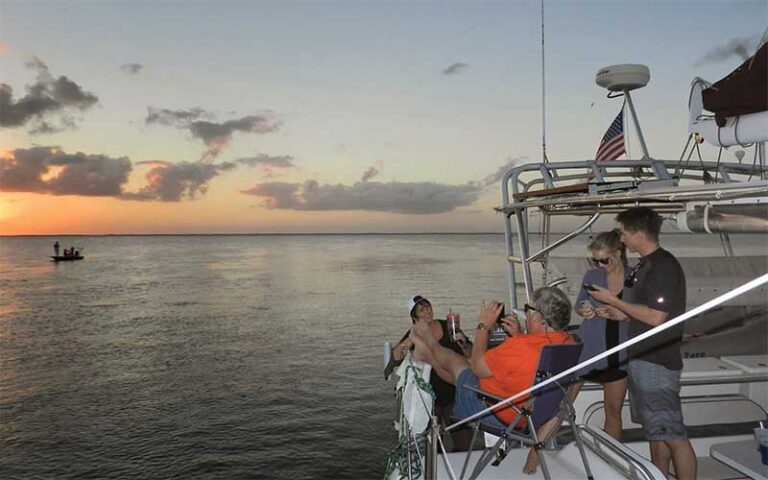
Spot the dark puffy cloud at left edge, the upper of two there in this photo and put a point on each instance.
(47, 104)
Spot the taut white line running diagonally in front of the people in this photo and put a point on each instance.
(658, 329)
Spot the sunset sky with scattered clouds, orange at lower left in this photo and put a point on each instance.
(325, 116)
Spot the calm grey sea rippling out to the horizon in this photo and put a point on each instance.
(218, 357)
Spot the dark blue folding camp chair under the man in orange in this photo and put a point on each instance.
(543, 412)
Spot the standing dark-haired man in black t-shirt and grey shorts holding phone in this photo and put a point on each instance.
(654, 293)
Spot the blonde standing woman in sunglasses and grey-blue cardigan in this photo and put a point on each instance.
(609, 258)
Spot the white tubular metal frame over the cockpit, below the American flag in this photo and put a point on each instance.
(591, 188)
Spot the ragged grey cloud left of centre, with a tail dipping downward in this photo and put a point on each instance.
(215, 136)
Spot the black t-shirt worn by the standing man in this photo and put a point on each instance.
(658, 284)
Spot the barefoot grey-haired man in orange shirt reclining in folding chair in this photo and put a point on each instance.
(506, 369)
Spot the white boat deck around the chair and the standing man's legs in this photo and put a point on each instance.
(733, 388)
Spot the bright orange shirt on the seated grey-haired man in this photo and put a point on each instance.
(513, 364)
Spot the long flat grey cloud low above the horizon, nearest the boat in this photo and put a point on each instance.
(395, 197)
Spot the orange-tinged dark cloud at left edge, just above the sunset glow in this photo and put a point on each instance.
(49, 170)
